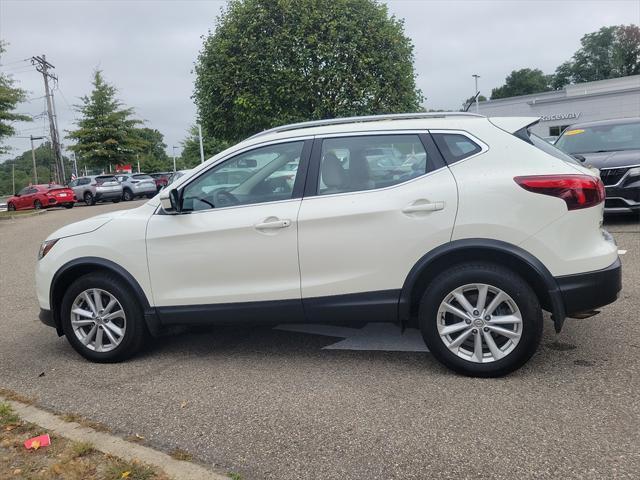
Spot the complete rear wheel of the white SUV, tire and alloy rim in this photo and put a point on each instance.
(508, 352)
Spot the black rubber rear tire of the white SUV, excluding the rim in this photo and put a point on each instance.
(499, 277)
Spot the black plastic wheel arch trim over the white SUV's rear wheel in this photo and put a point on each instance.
(472, 246)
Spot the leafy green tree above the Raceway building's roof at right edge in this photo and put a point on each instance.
(610, 52)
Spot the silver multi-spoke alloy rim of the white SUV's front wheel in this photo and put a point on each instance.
(98, 320)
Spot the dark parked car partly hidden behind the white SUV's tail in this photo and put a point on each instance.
(612, 146)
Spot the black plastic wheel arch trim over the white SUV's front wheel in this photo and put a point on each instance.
(150, 315)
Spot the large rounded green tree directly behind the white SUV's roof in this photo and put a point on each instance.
(271, 62)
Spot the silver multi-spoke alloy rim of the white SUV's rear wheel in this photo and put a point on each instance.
(479, 323)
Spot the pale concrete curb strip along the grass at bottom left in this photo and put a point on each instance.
(113, 445)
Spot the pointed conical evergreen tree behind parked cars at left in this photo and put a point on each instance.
(106, 133)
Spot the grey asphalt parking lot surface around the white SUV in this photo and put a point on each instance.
(274, 404)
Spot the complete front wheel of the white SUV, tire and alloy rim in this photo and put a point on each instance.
(135, 331)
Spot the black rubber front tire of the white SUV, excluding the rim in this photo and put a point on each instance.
(135, 333)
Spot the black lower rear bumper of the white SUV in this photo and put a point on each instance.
(586, 291)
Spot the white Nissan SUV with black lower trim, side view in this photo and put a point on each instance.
(469, 235)
